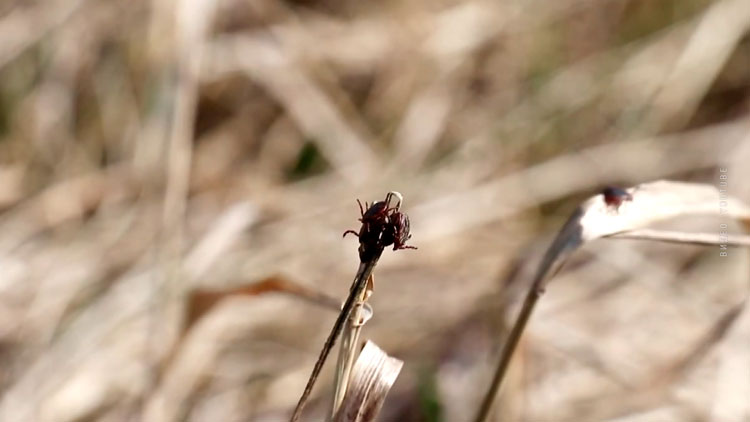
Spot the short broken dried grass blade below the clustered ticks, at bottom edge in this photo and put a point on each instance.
(372, 378)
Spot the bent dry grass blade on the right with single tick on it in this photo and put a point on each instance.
(593, 219)
